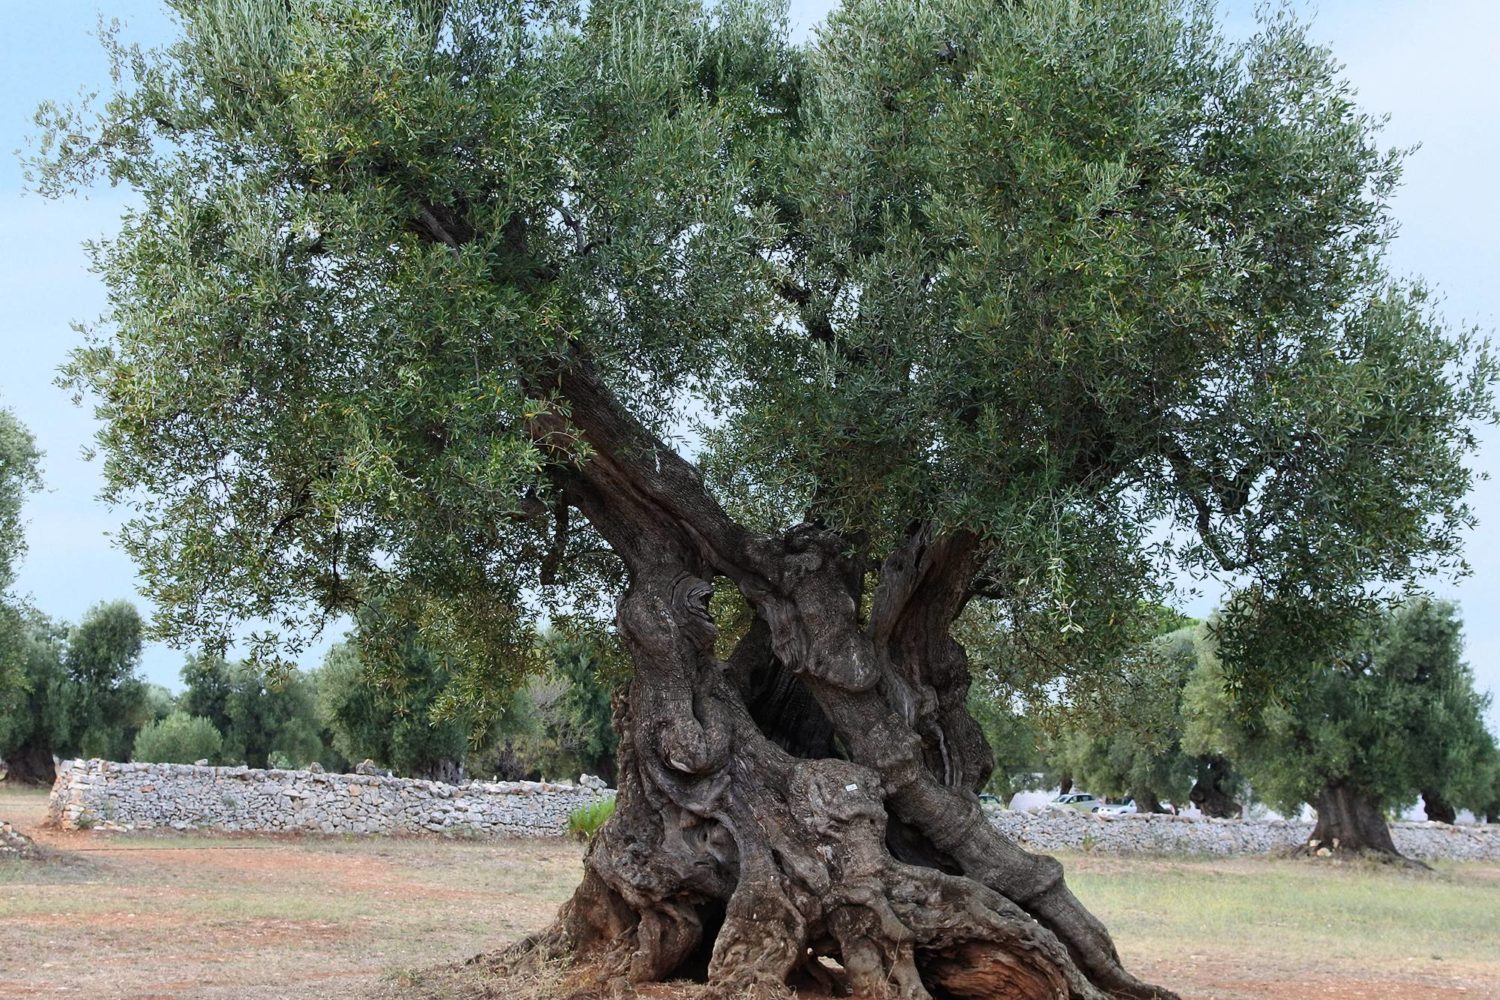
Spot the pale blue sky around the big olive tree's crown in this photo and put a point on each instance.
(1430, 65)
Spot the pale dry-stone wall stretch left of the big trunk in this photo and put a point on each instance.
(104, 795)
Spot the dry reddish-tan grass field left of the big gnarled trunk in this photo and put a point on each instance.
(259, 917)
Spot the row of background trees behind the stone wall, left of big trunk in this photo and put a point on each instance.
(76, 692)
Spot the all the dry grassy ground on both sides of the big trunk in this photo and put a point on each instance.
(146, 917)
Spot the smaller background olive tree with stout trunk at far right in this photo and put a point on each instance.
(1390, 717)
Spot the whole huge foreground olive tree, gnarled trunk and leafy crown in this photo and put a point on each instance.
(964, 298)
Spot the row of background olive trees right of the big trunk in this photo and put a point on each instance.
(1391, 720)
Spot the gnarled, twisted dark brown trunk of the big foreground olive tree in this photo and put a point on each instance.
(815, 795)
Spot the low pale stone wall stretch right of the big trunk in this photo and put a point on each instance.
(1150, 834)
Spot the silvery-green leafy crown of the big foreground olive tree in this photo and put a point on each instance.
(1048, 272)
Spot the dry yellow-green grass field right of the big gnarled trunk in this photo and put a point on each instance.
(1253, 927)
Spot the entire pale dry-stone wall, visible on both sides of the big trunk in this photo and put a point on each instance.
(97, 794)
